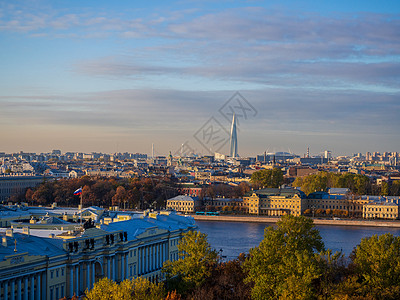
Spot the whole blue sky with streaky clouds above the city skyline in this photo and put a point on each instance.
(119, 76)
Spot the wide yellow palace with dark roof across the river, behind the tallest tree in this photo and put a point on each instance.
(275, 202)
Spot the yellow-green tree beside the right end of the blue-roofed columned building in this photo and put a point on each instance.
(196, 260)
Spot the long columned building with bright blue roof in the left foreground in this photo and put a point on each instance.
(51, 264)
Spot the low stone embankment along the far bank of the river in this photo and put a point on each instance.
(261, 219)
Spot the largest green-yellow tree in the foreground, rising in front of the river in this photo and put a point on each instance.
(284, 265)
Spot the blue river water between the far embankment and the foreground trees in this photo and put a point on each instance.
(238, 237)
